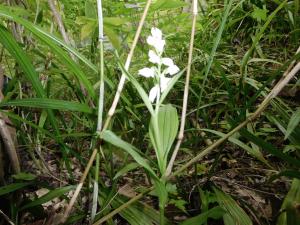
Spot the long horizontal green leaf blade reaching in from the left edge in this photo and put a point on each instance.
(46, 103)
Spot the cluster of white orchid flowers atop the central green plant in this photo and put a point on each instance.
(161, 81)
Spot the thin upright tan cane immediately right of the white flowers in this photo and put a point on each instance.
(186, 91)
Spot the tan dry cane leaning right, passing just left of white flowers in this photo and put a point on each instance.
(110, 114)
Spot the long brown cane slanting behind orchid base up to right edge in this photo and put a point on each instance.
(287, 76)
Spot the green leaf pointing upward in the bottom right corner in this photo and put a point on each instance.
(289, 213)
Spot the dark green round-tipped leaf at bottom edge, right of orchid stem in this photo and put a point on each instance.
(214, 213)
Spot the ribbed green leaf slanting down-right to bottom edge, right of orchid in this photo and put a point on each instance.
(237, 214)
